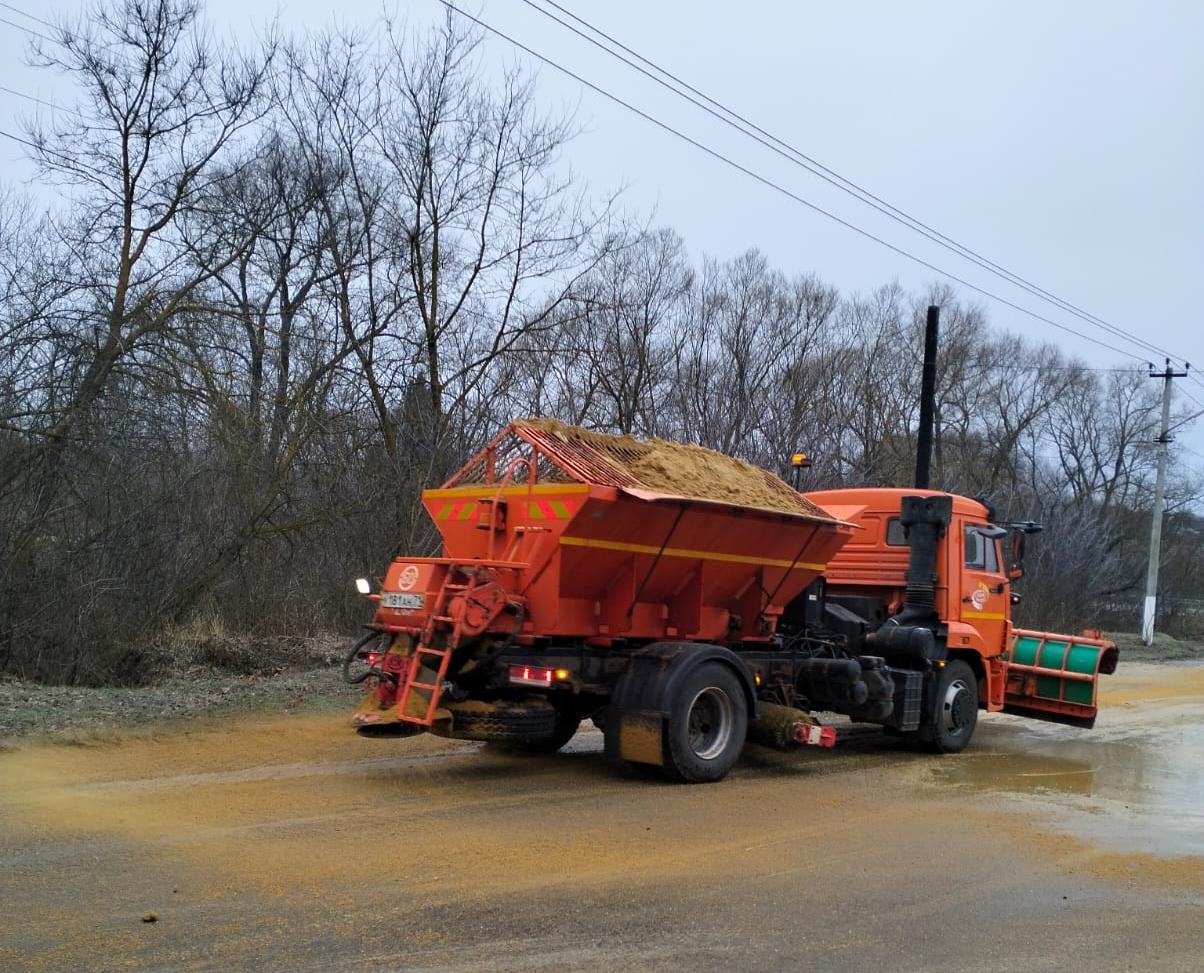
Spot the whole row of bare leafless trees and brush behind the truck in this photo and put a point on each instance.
(282, 292)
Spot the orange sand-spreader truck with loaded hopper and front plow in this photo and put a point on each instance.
(687, 603)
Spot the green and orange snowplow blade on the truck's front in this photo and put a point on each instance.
(1055, 677)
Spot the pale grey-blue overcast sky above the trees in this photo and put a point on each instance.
(1064, 141)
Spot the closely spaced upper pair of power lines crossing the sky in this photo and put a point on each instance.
(815, 167)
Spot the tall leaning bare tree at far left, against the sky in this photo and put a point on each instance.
(158, 107)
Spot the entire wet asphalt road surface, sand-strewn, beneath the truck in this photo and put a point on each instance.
(293, 845)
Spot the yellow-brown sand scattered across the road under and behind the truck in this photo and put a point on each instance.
(213, 787)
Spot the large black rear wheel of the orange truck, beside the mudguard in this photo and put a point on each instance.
(709, 721)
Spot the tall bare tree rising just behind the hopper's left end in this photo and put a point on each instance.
(494, 234)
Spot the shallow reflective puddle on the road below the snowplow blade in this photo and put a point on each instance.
(1134, 785)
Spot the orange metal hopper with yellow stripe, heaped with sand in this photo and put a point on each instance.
(605, 538)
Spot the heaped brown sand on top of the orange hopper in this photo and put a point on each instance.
(680, 470)
